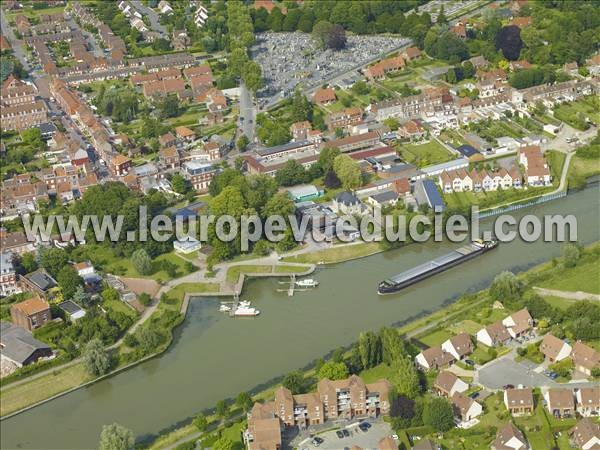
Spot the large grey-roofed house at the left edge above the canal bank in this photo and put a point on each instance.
(19, 347)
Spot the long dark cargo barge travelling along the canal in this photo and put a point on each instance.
(430, 268)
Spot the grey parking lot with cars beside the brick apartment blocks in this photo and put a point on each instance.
(365, 439)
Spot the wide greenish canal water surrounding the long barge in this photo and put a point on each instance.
(215, 357)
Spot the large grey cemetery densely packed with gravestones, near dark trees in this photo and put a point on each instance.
(288, 59)
